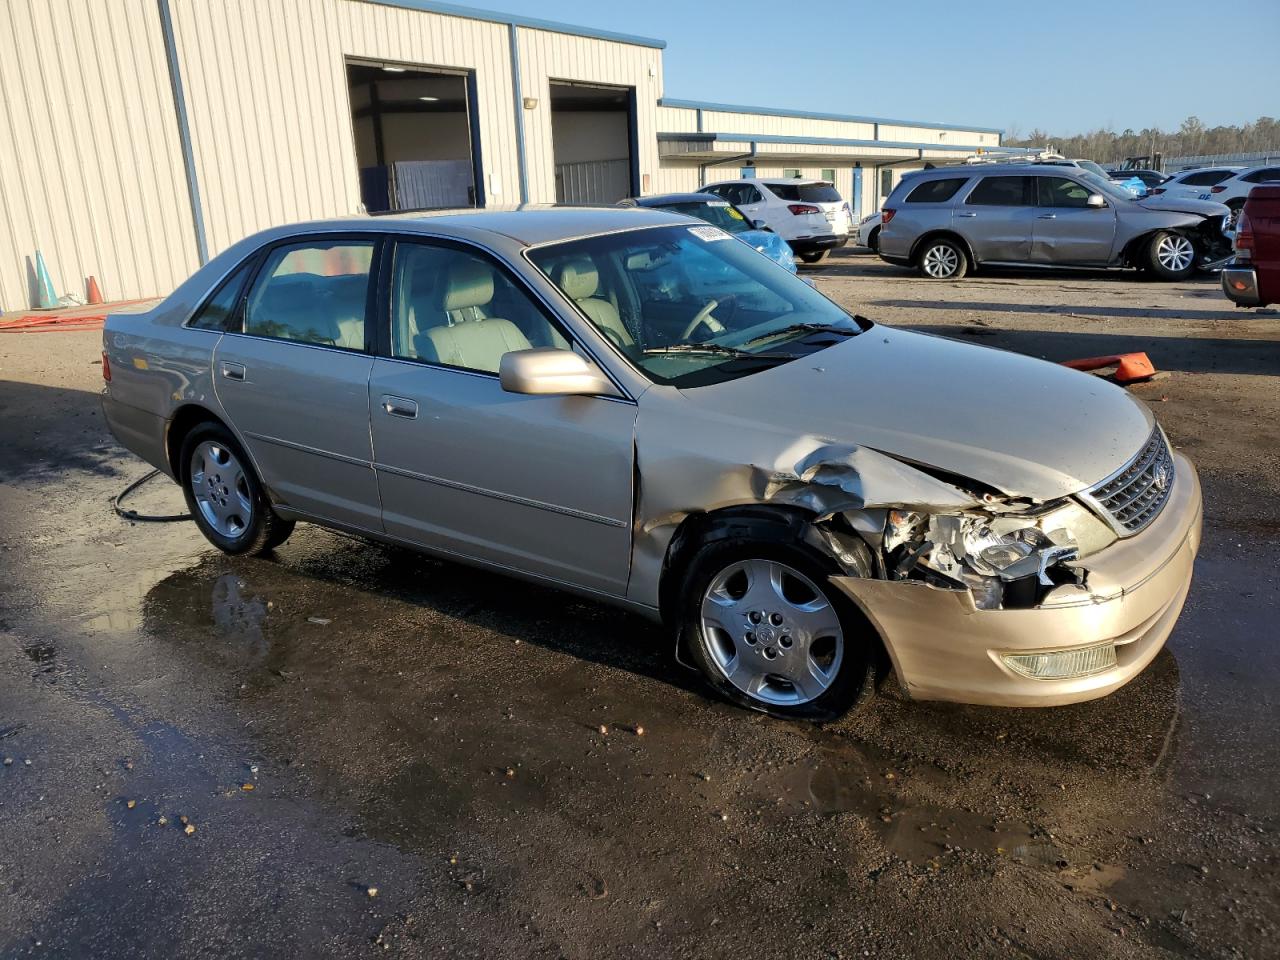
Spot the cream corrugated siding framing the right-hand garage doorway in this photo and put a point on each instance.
(546, 57)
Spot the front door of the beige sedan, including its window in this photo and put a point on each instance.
(537, 484)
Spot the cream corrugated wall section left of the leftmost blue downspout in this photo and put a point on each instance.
(90, 163)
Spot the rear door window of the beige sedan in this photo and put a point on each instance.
(313, 294)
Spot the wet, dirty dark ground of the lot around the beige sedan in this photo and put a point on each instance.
(382, 755)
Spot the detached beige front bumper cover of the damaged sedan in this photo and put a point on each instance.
(944, 648)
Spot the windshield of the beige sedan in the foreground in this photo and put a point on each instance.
(691, 305)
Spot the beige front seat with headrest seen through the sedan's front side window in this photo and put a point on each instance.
(472, 344)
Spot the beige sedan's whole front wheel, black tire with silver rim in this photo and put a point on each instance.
(771, 634)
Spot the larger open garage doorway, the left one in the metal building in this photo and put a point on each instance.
(415, 136)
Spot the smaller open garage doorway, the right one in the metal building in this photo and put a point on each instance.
(595, 139)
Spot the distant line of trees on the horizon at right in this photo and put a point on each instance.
(1192, 139)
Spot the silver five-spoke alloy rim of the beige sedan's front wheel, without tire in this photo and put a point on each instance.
(772, 633)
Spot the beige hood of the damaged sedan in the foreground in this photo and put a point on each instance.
(1022, 426)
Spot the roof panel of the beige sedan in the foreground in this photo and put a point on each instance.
(525, 225)
